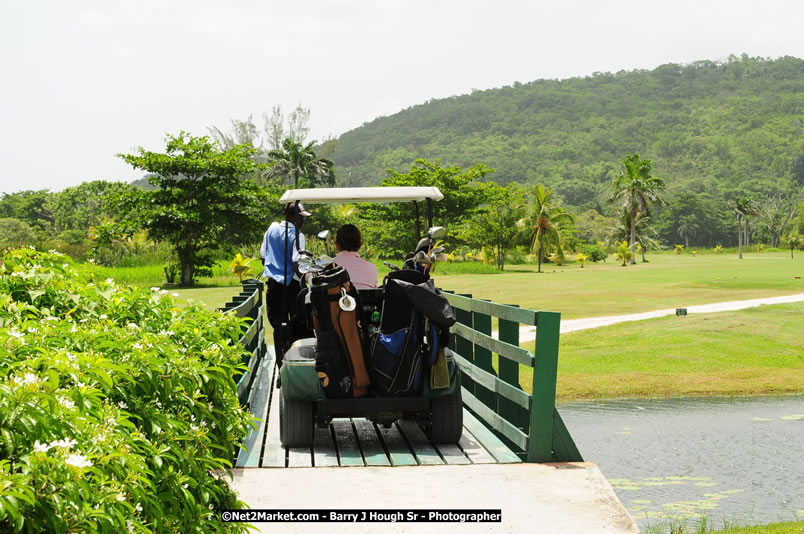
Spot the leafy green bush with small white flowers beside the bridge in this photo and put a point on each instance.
(118, 412)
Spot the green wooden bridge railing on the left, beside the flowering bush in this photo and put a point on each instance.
(249, 304)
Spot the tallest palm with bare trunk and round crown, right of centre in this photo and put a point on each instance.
(636, 189)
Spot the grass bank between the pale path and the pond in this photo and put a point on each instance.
(747, 352)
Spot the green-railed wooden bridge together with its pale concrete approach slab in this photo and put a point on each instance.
(515, 454)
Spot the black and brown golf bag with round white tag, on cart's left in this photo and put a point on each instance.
(339, 353)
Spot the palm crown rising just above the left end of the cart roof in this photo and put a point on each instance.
(298, 164)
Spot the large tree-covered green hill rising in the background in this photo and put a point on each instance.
(707, 125)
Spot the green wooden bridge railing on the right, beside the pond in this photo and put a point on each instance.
(529, 423)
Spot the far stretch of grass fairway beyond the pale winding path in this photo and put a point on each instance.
(668, 281)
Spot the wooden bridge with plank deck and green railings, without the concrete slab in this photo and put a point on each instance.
(502, 422)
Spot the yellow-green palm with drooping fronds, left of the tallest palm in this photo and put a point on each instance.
(544, 224)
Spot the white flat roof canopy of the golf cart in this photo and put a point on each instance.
(342, 195)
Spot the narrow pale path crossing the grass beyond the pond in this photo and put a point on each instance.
(528, 333)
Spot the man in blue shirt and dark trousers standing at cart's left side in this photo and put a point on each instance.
(278, 244)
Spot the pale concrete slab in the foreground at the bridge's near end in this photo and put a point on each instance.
(538, 498)
